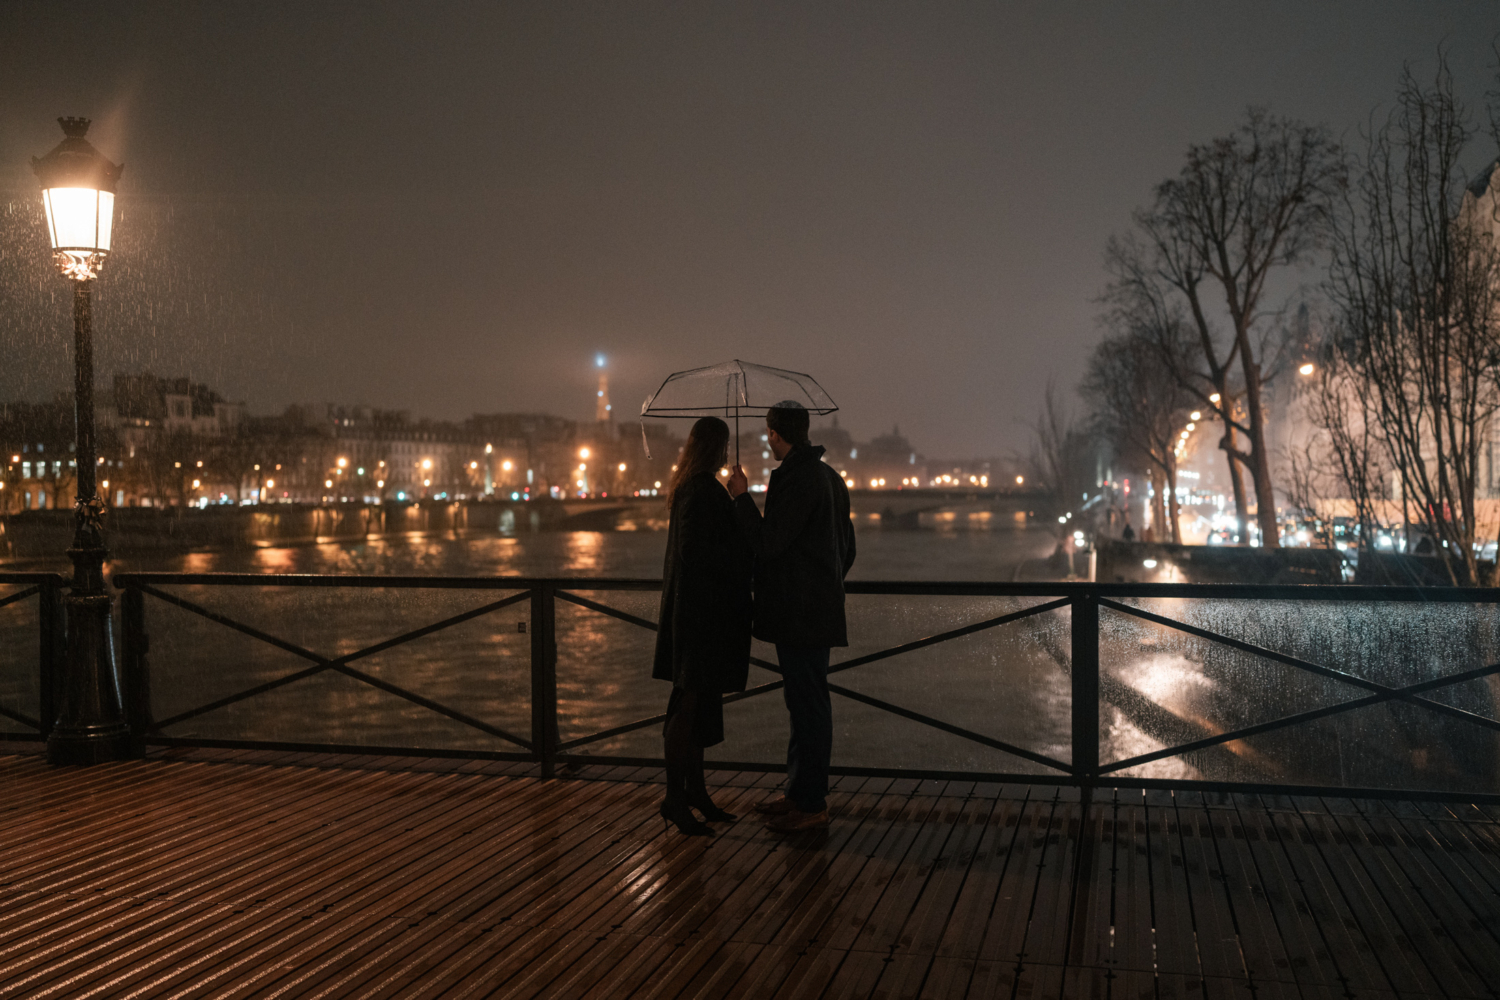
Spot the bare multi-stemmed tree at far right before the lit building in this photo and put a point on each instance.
(1415, 281)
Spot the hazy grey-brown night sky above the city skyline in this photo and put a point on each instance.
(451, 208)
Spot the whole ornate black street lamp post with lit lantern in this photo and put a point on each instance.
(79, 196)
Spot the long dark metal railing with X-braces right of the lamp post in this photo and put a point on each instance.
(1082, 659)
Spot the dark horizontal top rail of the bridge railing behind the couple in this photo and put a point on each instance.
(917, 588)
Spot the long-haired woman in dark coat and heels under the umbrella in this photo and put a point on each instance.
(704, 635)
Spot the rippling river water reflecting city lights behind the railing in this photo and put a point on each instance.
(1010, 684)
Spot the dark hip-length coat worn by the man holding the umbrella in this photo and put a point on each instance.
(805, 548)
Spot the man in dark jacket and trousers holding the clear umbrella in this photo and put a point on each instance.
(805, 548)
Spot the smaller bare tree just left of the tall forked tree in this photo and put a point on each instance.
(1138, 410)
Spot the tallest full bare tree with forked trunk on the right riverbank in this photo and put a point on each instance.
(1241, 208)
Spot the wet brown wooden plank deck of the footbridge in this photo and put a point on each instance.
(239, 875)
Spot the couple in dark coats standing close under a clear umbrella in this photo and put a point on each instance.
(796, 557)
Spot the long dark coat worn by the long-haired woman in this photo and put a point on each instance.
(704, 638)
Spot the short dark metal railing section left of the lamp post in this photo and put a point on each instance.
(47, 591)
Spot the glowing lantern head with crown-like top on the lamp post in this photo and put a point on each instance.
(79, 199)
